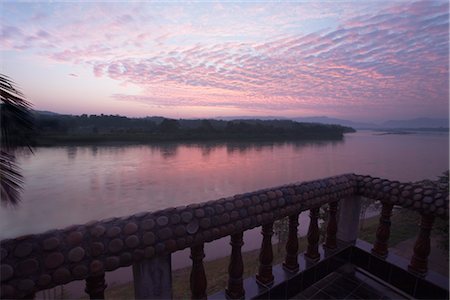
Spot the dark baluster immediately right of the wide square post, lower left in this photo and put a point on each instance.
(198, 276)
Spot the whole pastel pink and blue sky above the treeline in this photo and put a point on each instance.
(361, 60)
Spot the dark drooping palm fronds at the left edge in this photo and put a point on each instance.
(17, 124)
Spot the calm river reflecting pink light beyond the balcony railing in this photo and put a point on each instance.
(77, 184)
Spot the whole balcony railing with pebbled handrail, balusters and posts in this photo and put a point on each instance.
(146, 240)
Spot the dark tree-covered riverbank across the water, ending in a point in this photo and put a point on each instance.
(63, 129)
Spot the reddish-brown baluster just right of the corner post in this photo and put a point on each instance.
(380, 247)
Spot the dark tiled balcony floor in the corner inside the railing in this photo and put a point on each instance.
(350, 282)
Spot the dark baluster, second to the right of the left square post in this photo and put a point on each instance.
(235, 289)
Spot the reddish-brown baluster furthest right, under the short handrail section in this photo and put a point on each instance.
(419, 260)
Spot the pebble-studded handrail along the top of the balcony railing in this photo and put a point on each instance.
(41, 261)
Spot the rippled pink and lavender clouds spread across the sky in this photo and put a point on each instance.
(394, 58)
